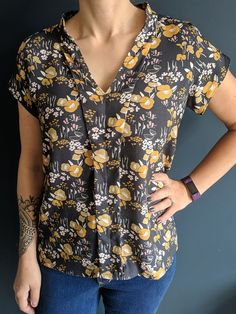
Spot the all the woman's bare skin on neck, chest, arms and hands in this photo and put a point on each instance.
(107, 29)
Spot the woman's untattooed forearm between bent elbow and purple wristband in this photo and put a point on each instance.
(219, 160)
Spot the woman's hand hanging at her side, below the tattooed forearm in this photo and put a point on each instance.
(27, 284)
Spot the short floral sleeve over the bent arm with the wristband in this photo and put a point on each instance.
(208, 66)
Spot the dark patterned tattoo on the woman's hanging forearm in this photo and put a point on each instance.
(28, 210)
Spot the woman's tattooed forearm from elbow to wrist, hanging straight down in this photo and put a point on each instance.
(29, 195)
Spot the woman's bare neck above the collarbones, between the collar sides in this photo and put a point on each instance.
(103, 19)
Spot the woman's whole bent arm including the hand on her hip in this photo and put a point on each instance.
(219, 160)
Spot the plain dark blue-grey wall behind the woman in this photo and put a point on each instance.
(205, 279)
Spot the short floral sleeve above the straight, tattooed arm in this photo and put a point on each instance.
(20, 82)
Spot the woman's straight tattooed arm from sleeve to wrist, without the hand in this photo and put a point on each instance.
(29, 181)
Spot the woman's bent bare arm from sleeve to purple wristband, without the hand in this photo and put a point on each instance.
(222, 157)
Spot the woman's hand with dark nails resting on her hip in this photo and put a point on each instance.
(174, 193)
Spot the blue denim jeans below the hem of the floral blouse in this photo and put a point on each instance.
(67, 294)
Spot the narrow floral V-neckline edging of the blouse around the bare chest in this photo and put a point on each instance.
(121, 68)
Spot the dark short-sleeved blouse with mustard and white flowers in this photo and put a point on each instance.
(100, 148)
